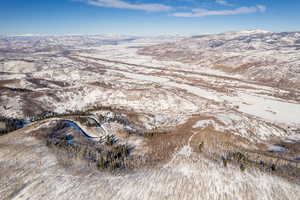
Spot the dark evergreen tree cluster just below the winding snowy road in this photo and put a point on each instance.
(107, 154)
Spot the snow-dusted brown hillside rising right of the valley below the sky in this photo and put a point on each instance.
(269, 57)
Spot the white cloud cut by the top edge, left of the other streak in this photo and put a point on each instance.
(126, 5)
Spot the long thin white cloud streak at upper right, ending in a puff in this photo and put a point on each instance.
(203, 12)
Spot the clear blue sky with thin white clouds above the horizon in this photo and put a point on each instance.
(146, 17)
